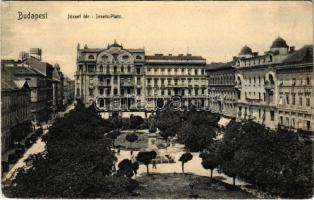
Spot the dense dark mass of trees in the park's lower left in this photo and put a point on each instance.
(77, 162)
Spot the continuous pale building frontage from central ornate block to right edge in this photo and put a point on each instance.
(274, 88)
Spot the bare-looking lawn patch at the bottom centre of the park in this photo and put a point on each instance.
(173, 186)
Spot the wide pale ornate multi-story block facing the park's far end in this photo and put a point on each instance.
(129, 77)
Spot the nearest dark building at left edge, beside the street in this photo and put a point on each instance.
(15, 109)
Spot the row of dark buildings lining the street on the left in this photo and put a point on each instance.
(32, 91)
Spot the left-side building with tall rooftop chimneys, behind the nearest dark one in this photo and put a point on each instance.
(39, 77)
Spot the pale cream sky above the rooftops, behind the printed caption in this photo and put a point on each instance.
(215, 30)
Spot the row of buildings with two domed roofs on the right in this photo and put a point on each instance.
(274, 89)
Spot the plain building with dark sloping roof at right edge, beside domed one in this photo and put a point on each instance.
(296, 90)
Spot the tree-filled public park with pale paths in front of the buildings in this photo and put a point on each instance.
(169, 154)
